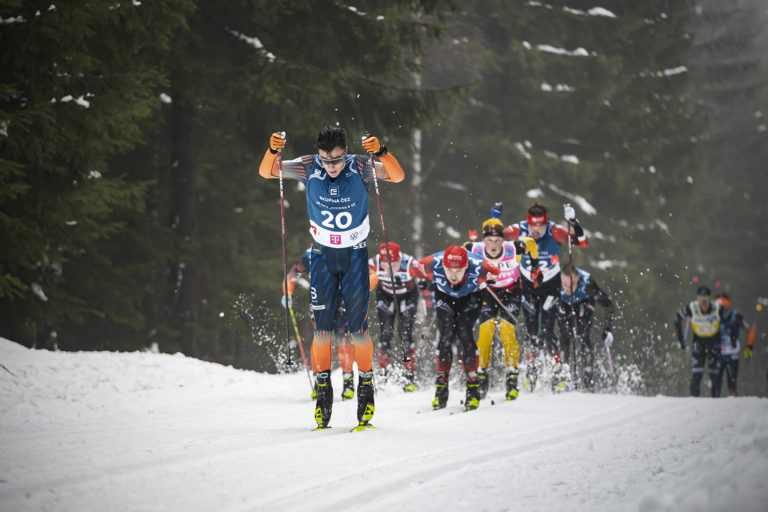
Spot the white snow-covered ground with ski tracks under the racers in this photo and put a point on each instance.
(102, 432)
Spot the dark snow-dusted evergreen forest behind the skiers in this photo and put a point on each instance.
(133, 217)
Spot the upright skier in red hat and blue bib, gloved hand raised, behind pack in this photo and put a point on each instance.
(541, 281)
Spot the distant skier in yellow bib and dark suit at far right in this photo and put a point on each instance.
(705, 318)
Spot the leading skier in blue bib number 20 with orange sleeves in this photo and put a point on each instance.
(337, 204)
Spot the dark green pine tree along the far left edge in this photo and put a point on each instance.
(75, 89)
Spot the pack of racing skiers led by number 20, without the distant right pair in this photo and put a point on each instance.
(488, 281)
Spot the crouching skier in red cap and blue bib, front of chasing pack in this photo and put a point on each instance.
(459, 279)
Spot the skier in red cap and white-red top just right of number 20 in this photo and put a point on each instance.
(402, 269)
